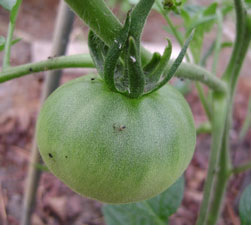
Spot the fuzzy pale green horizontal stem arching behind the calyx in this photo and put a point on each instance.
(185, 71)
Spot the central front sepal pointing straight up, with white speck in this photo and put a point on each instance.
(135, 73)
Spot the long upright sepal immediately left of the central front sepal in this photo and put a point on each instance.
(111, 61)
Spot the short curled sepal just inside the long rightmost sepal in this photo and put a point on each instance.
(162, 66)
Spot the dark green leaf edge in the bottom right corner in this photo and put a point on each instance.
(245, 206)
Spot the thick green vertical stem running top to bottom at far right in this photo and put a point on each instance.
(211, 205)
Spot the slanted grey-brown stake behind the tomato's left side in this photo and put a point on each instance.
(63, 28)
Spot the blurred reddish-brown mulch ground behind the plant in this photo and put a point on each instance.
(19, 106)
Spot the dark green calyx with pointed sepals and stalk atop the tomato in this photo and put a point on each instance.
(120, 63)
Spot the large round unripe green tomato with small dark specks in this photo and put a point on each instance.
(109, 147)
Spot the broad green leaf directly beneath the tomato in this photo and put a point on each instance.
(153, 211)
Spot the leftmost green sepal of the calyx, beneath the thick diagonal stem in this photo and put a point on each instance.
(98, 50)
